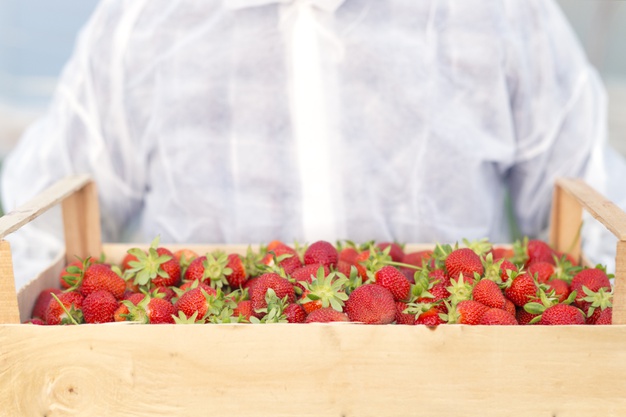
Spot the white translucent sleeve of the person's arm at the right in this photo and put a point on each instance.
(559, 112)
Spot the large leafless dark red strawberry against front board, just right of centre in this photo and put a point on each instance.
(371, 304)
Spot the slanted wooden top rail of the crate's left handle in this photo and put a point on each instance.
(52, 196)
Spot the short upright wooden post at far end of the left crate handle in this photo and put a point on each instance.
(81, 221)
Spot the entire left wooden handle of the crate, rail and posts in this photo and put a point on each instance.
(81, 224)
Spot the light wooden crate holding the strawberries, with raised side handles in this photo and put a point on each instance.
(335, 369)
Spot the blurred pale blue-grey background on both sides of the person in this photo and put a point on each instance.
(37, 37)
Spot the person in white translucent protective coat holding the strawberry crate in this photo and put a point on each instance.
(251, 120)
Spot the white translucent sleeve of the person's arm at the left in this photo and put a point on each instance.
(81, 132)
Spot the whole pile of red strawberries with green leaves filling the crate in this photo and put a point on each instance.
(372, 283)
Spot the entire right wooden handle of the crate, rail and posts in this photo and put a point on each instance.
(570, 197)
